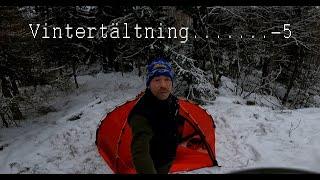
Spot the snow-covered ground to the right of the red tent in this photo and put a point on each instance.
(251, 137)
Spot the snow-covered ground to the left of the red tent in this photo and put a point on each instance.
(63, 142)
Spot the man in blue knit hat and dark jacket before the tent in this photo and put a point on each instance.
(154, 122)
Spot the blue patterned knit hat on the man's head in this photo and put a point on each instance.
(159, 67)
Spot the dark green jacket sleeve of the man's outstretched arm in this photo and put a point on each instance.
(141, 136)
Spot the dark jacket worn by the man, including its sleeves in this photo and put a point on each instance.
(155, 129)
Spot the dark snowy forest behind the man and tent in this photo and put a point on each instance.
(257, 61)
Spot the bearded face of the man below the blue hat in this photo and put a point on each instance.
(161, 87)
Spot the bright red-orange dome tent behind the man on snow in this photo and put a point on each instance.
(113, 139)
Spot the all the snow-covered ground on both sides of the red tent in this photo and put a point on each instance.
(246, 136)
